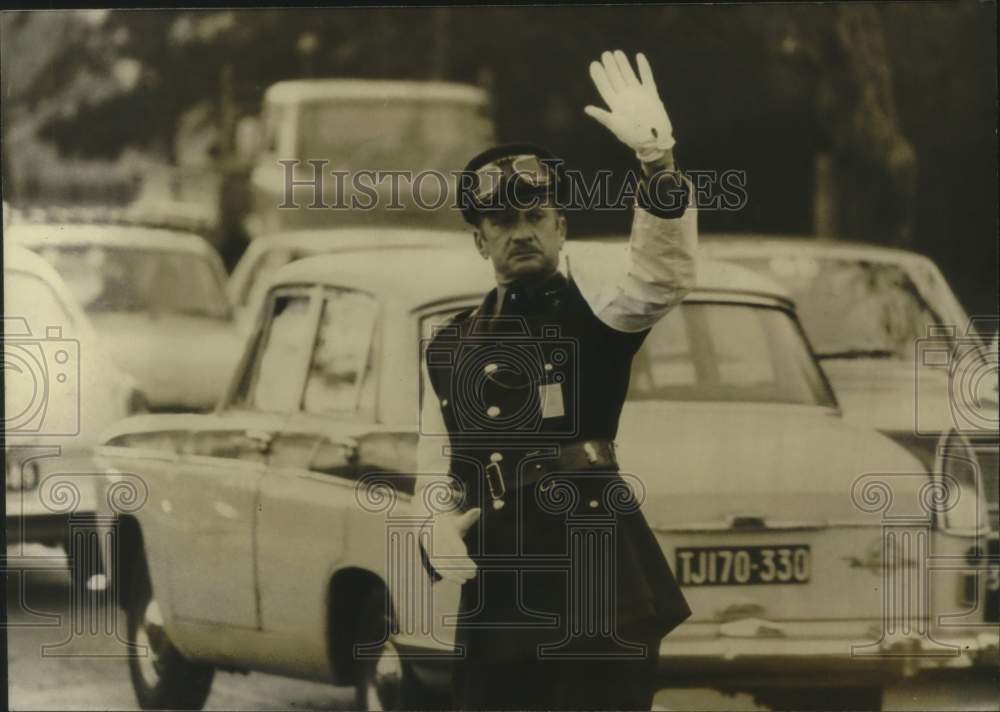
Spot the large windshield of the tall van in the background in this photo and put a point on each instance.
(397, 135)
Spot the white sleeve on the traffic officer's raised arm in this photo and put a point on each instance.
(657, 272)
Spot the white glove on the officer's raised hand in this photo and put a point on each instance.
(637, 116)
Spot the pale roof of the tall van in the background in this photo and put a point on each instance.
(298, 90)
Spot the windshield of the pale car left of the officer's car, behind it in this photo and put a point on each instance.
(108, 280)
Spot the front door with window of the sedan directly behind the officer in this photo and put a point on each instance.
(223, 463)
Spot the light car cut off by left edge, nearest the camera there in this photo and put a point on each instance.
(61, 389)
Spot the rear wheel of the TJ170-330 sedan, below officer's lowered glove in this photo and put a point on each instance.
(383, 679)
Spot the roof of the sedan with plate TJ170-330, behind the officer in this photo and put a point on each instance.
(428, 275)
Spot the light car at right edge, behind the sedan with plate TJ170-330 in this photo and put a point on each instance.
(869, 312)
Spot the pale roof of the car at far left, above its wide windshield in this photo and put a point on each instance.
(110, 235)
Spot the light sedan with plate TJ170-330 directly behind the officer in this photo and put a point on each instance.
(747, 473)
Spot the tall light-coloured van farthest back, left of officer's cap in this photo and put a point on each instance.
(354, 126)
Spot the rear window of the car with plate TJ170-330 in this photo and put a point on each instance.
(727, 352)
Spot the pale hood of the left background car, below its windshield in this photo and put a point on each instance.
(179, 362)
